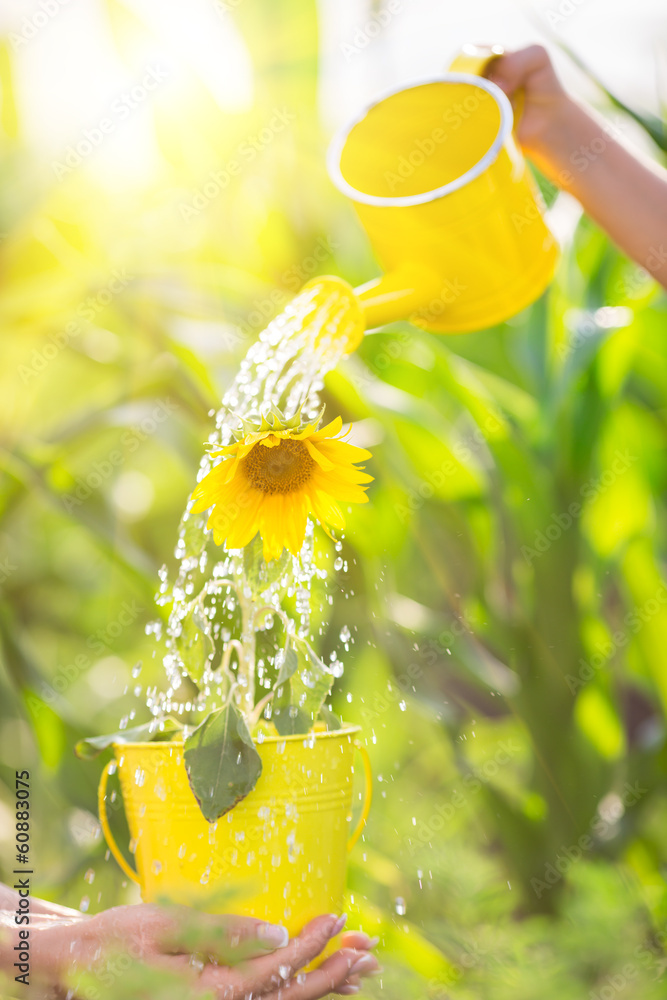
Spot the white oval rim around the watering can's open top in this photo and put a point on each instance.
(337, 145)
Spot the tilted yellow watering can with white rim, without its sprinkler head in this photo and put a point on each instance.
(447, 201)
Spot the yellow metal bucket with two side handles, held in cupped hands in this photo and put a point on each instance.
(279, 855)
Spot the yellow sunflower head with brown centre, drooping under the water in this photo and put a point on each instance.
(274, 477)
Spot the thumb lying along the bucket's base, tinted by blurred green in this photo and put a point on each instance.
(226, 937)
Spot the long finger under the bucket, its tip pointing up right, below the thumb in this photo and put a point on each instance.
(266, 974)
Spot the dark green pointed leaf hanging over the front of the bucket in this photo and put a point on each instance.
(222, 762)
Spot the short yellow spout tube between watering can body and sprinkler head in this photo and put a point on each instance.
(401, 294)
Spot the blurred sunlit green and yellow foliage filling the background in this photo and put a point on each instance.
(508, 665)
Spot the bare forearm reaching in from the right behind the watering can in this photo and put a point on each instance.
(625, 195)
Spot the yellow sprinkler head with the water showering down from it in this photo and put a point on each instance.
(285, 367)
